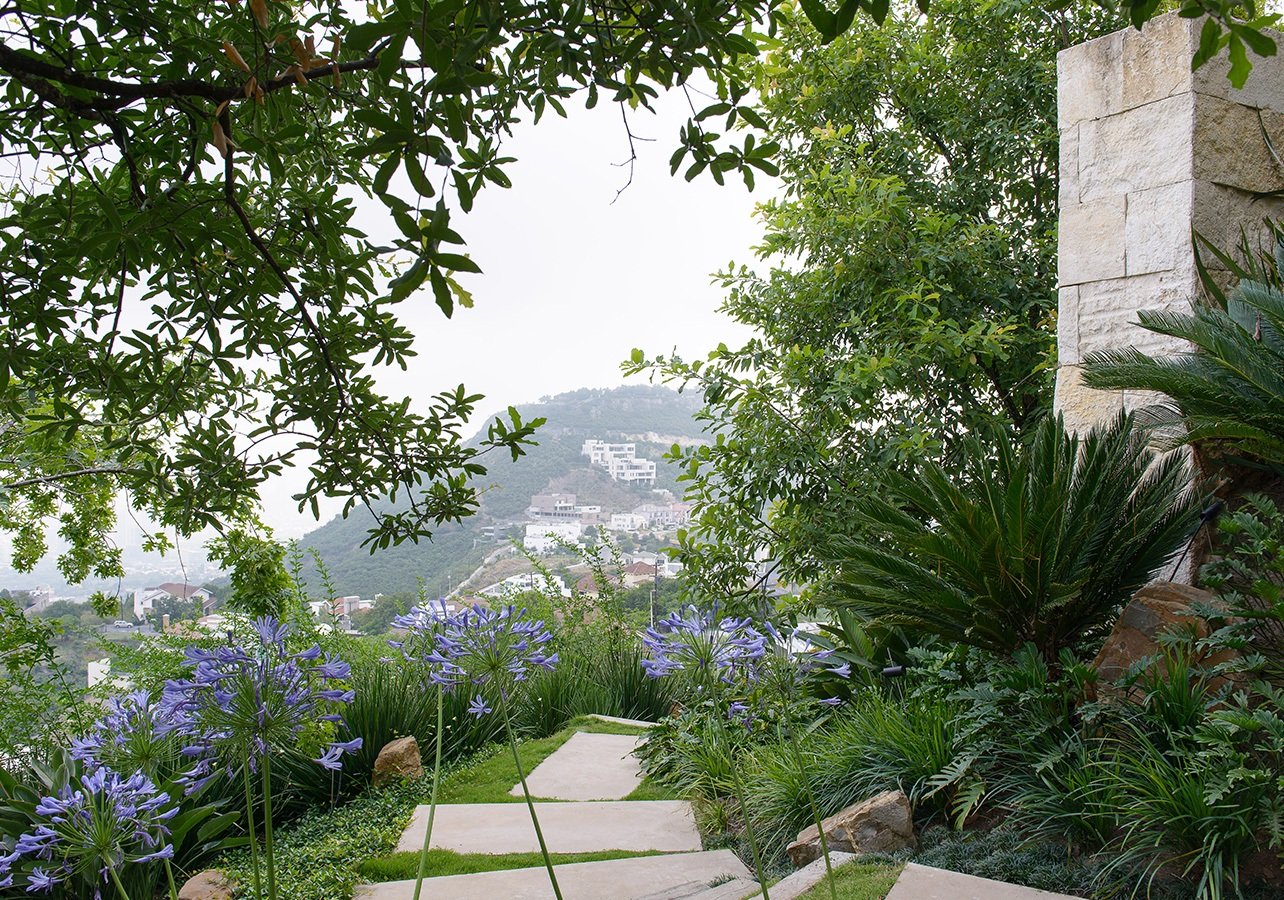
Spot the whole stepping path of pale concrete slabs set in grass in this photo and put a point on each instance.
(582, 809)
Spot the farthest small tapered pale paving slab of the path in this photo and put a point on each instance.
(589, 767)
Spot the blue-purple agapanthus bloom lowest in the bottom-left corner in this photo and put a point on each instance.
(92, 830)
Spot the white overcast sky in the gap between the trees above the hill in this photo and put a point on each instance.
(573, 277)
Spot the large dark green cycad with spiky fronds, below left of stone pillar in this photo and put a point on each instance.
(1042, 545)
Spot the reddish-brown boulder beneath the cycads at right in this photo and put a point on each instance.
(1154, 610)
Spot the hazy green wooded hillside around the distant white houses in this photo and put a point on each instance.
(632, 413)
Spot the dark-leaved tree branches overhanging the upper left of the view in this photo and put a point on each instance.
(189, 304)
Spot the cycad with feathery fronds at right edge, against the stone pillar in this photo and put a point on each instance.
(1228, 394)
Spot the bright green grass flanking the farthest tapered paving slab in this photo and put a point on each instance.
(489, 781)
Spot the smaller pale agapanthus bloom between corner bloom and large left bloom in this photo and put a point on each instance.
(137, 734)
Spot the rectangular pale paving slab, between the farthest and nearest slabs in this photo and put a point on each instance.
(586, 827)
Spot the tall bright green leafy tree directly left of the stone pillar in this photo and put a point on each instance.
(912, 286)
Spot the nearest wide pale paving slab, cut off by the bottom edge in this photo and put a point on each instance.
(609, 880)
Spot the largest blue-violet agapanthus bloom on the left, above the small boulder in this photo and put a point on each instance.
(243, 704)
